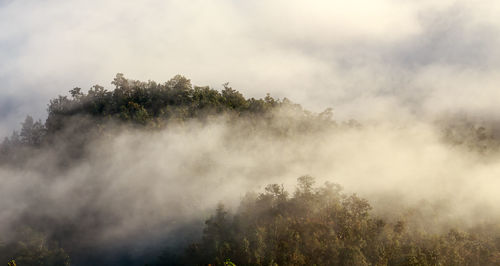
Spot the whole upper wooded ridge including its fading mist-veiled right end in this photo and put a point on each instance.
(75, 120)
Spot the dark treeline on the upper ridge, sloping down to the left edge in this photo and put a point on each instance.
(140, 103)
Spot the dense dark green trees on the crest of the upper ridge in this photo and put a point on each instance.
(143, 102)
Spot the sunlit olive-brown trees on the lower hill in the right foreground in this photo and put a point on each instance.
(324, 226)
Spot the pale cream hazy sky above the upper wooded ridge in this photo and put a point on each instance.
(366, 59)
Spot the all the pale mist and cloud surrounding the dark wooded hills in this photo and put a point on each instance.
(419, 78)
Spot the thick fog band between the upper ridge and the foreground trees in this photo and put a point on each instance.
(139, 188)
